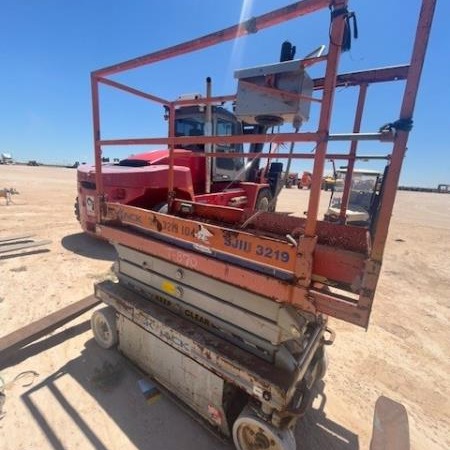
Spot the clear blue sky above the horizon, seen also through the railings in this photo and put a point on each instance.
(48, 49)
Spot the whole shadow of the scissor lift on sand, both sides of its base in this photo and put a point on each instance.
(112, 381)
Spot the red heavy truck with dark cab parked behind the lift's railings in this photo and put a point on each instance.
(142, 180)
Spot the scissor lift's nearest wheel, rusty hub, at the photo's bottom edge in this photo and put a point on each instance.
(250, 432)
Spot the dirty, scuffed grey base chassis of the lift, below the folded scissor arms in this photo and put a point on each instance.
(214, 377)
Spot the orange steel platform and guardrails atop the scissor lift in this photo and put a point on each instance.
(296, 270)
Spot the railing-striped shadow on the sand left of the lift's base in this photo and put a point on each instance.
(112, 382)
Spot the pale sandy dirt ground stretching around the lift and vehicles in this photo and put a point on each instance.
(83, 397)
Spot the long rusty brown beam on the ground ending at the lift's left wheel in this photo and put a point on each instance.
(46, 325)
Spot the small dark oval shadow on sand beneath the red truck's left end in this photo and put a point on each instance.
(85, 245)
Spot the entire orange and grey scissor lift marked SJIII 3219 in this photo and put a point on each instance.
(239, 299)
